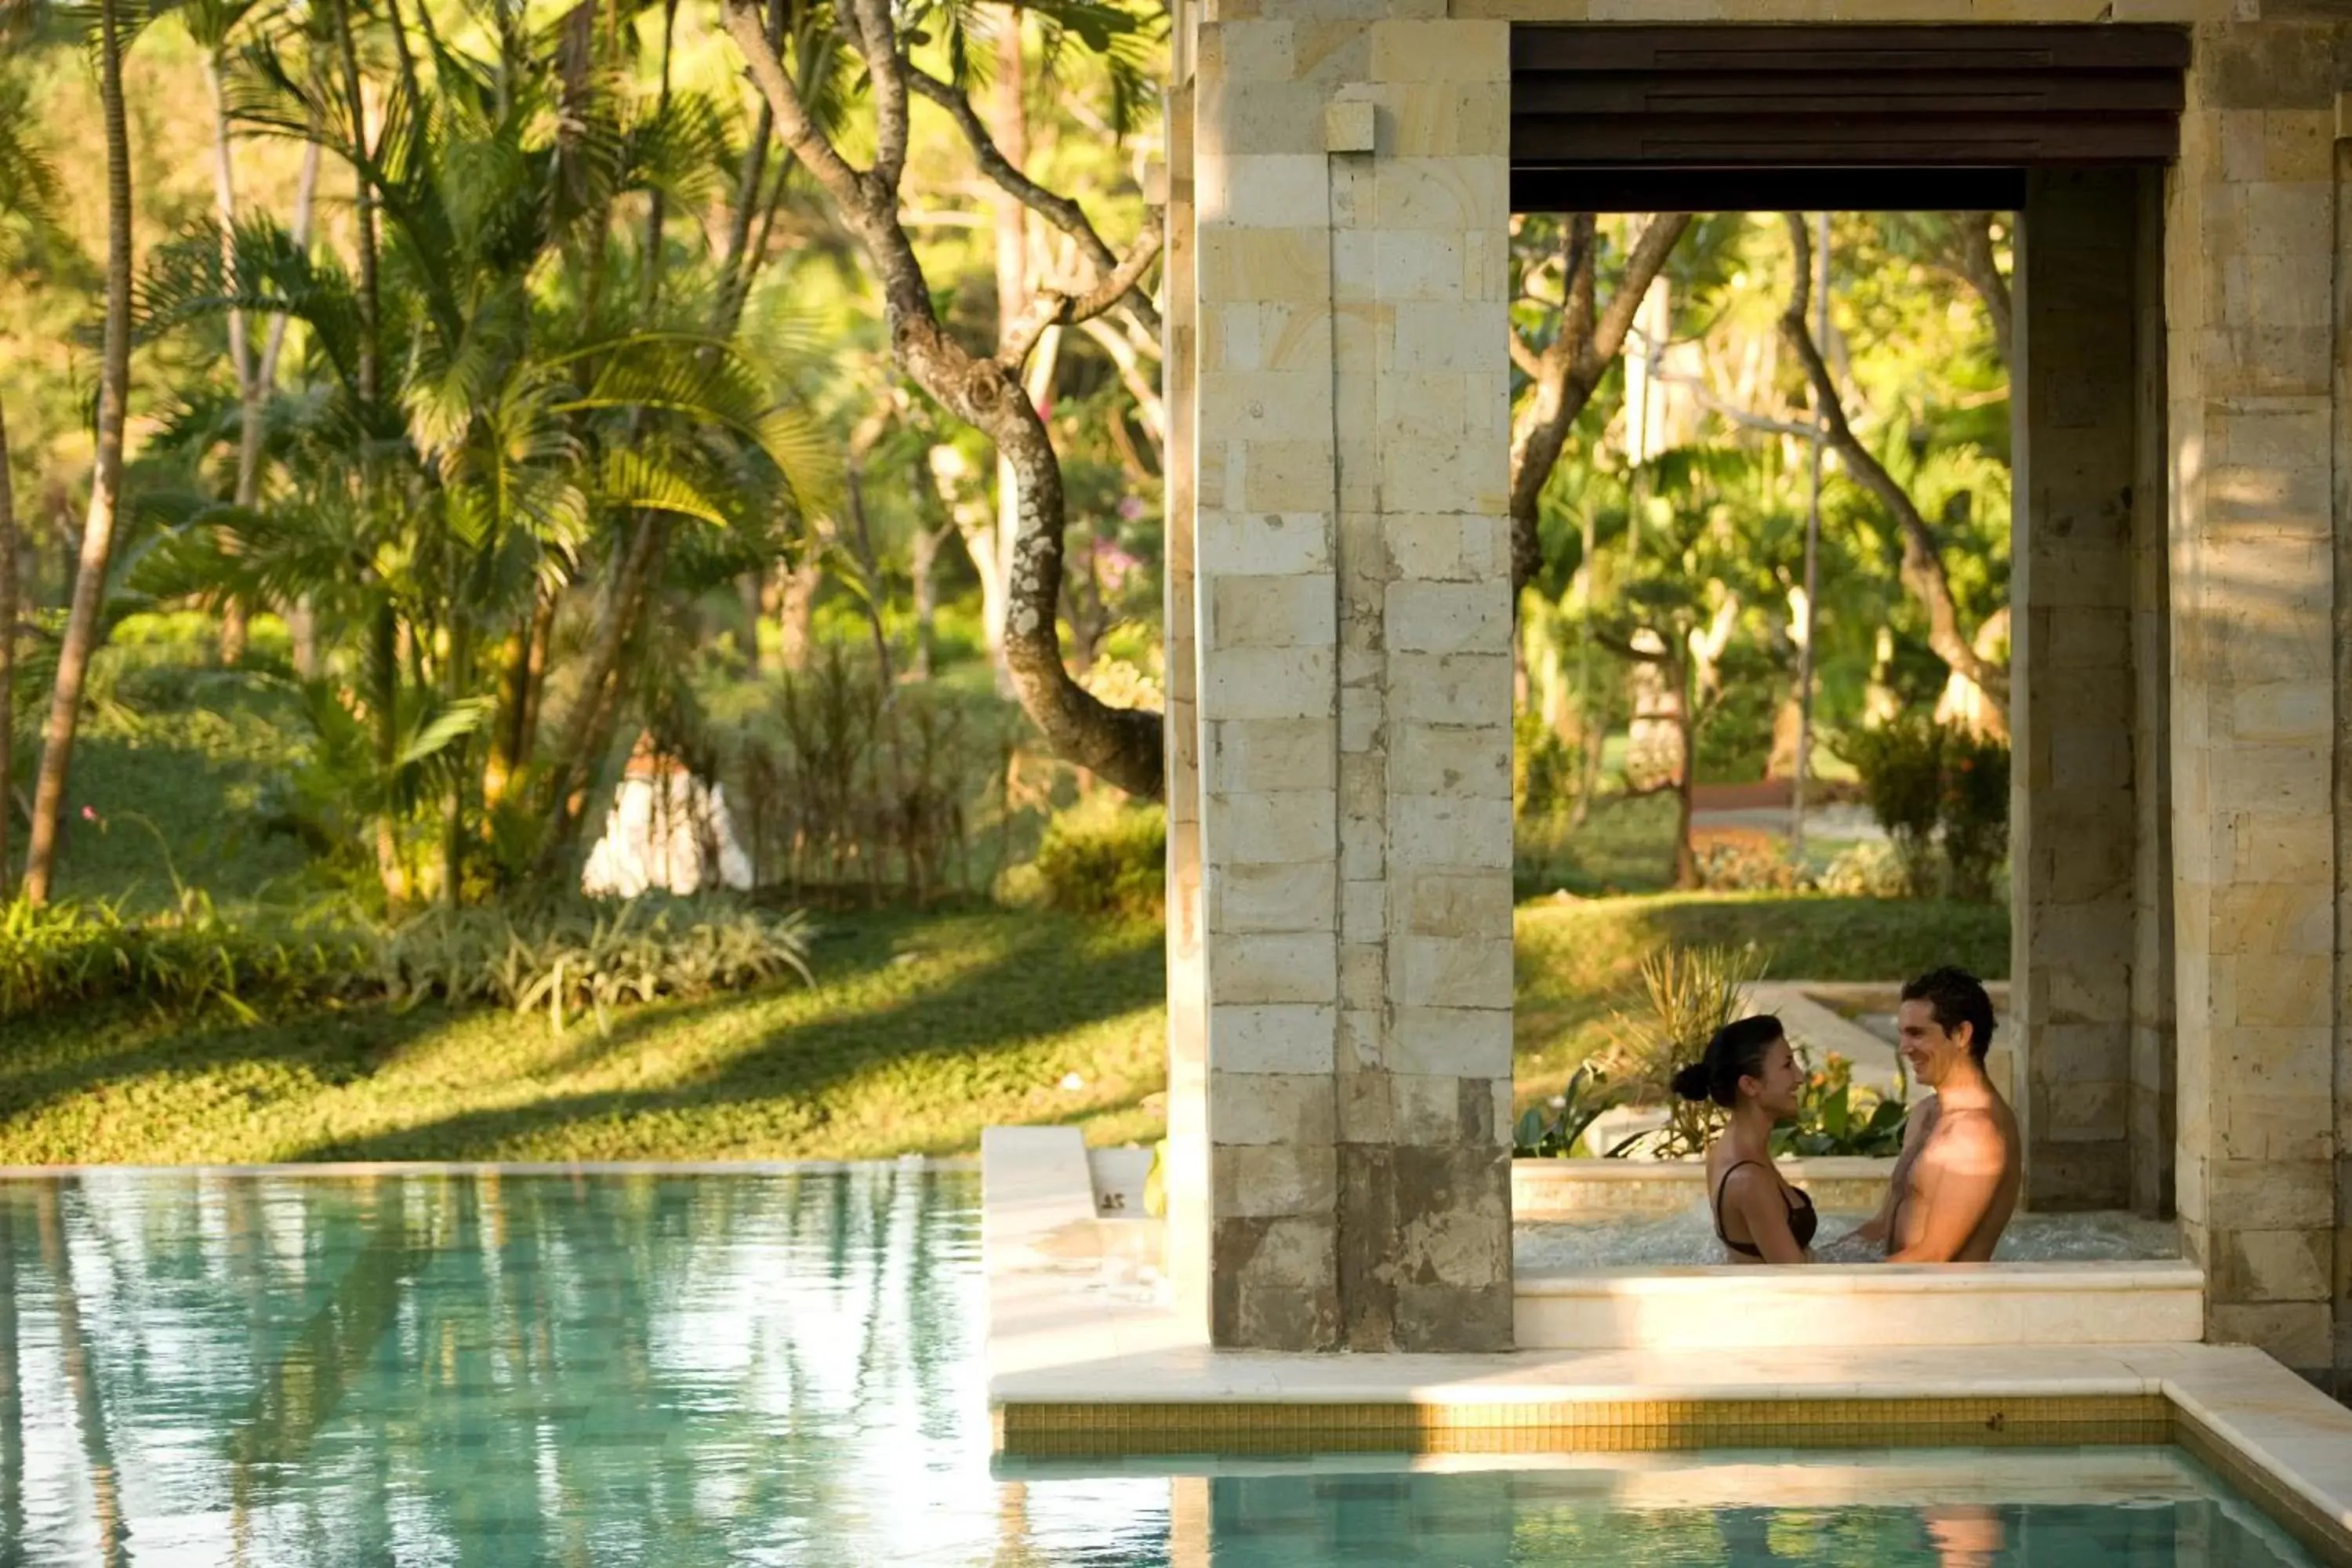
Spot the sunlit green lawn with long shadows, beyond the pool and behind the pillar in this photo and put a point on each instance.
(923, 1031)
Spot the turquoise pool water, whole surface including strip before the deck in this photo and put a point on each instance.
(773, 1369)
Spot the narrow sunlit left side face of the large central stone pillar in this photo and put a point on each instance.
(1187, 1170)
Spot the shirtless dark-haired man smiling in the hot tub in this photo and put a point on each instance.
(1956, 1184)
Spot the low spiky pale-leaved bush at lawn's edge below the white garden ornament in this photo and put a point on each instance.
(584, 958)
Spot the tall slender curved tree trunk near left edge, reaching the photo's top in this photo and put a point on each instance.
(107, 483)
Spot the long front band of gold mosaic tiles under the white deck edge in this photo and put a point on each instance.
(1100, 1430)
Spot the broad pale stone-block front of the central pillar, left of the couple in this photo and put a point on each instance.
(1351, 182)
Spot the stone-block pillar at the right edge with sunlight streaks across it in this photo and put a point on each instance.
(2254, 363)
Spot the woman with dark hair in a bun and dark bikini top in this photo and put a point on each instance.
(1751, 1073)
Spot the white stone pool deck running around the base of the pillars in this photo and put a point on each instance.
(1071, 1325)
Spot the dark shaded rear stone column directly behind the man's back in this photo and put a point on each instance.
(2076, 396)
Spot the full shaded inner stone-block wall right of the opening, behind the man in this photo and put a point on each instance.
(2090, 676)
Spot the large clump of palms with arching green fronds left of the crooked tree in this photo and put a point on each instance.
(514, 396)
